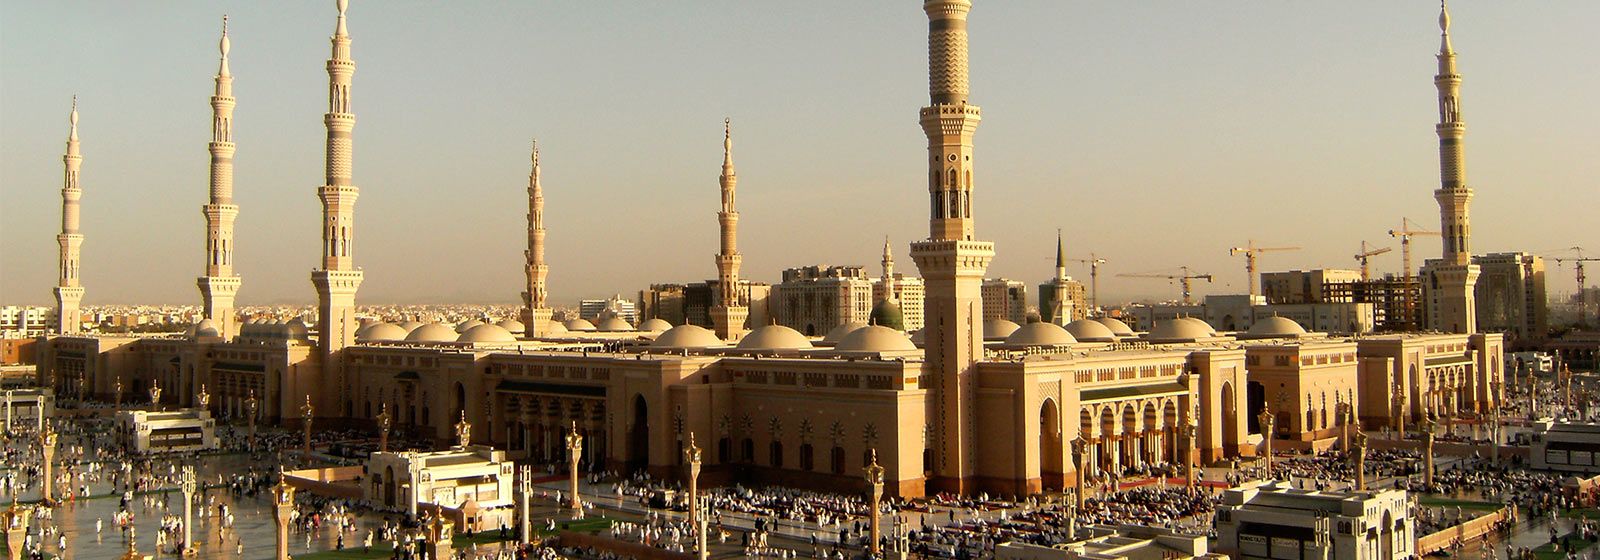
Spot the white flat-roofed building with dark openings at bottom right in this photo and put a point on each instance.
(1276, 521)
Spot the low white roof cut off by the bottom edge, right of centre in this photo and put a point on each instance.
(1116, 543)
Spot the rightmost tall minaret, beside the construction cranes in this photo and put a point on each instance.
(1455, 276)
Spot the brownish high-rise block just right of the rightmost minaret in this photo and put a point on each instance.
(1511, 295)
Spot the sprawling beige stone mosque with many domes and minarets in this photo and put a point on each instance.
(966, 406)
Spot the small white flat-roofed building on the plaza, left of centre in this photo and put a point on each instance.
(471, 486)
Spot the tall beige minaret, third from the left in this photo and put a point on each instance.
(338, 279)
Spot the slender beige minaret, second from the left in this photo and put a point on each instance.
(220, 284)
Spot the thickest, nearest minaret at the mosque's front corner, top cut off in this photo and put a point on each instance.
(951, 260)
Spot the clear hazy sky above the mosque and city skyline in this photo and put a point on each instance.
(1153, 134)
